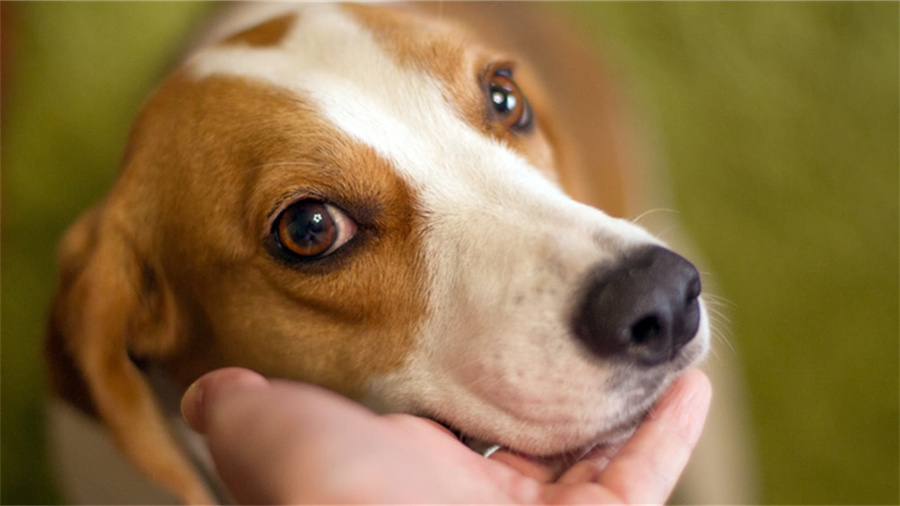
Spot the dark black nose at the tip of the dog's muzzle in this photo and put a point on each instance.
(644, 308)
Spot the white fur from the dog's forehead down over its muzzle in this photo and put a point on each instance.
(505, 248)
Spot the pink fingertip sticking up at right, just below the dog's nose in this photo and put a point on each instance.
(660, 448)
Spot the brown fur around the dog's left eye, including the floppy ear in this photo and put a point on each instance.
(169, 268)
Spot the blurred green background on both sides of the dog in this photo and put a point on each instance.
(777, 126)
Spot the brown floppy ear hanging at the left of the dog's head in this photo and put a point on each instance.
(111, 299)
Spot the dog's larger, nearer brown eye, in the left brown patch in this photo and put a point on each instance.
(312, 229)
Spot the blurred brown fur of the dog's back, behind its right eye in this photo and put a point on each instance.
(582, 115)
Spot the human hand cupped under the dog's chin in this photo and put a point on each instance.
(281, 442)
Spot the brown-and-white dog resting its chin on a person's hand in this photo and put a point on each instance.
(392, 202)
